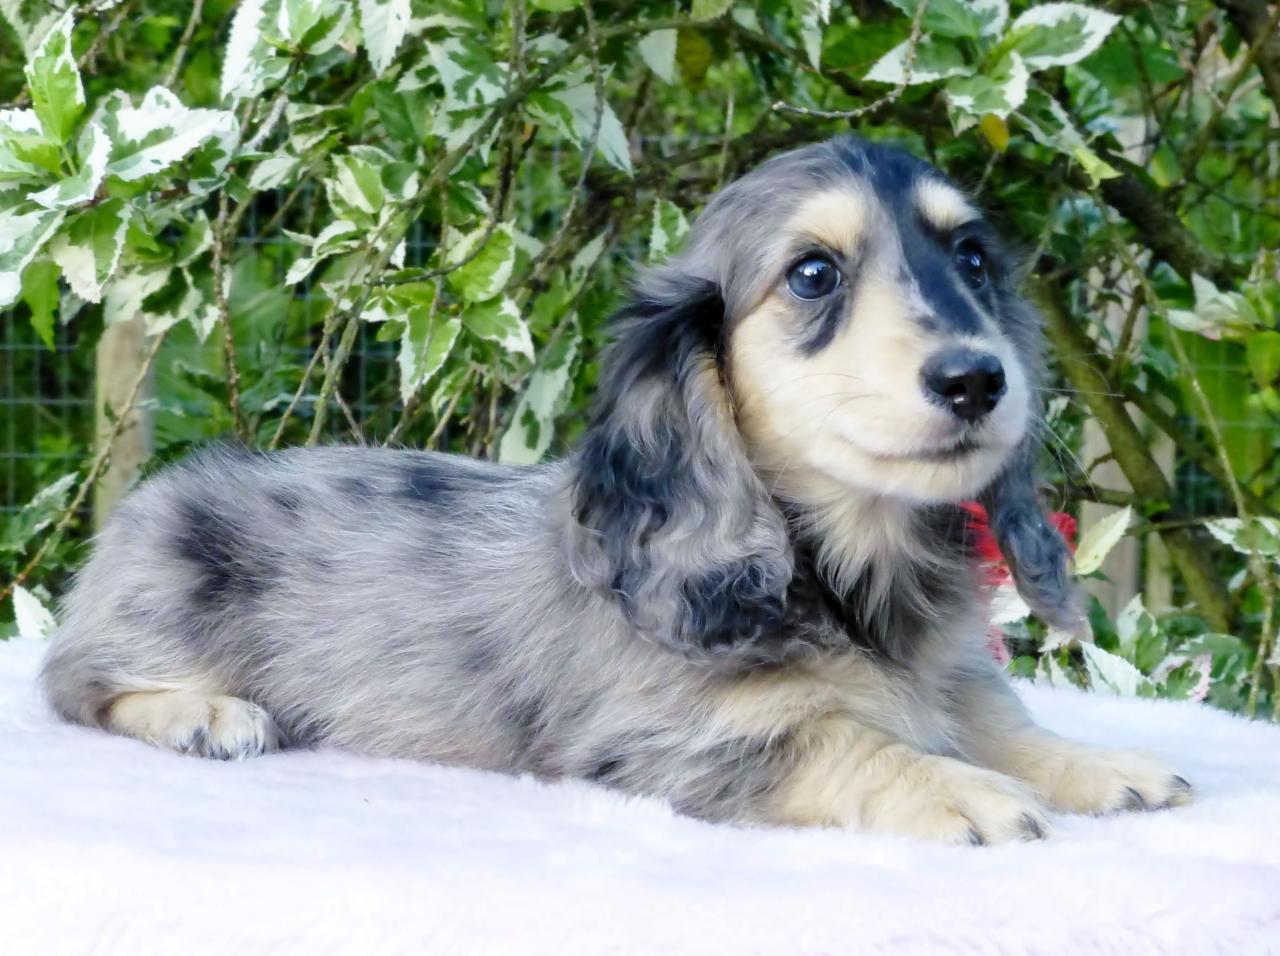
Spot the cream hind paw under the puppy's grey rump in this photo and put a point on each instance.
(189, 722)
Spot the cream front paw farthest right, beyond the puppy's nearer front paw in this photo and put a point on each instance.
(1096, 781)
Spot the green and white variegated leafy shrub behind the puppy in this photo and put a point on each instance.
(406, 221)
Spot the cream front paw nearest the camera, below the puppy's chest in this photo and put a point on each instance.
(950, 802)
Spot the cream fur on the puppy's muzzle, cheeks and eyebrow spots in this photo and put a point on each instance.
(856, 411)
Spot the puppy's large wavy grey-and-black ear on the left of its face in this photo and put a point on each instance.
(671, 518)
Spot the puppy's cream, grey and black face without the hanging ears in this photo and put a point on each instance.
(872, 336)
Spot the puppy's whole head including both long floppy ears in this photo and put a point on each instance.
(842, 323)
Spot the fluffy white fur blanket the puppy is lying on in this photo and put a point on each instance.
(109, 847)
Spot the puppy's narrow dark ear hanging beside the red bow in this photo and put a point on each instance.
(1034, 548)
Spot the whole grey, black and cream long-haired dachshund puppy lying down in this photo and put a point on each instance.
(748, 591)
